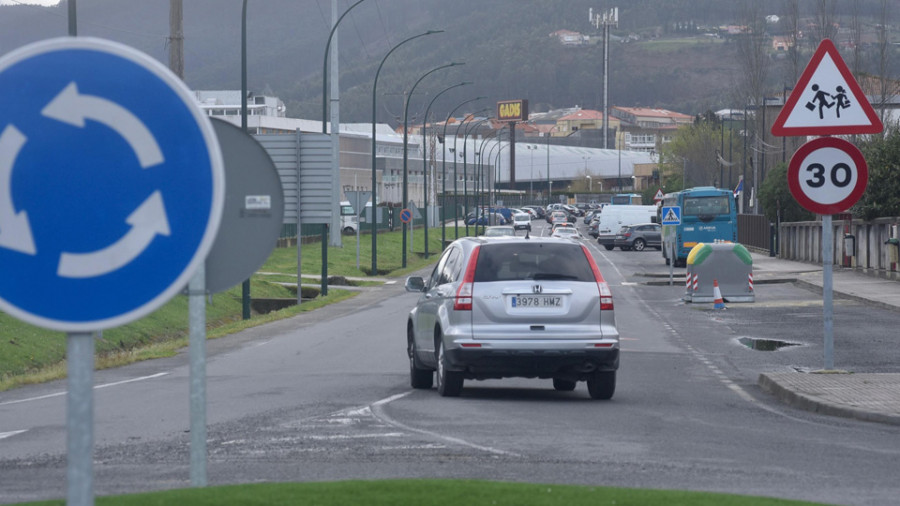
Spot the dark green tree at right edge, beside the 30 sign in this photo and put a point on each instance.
(882, 196)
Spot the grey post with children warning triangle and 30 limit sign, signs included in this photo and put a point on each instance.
(827, 175)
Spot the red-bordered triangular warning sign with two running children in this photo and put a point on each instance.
(826, 100)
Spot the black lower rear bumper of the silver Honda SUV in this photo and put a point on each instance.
(505, 359)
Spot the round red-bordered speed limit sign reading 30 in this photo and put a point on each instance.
(827, 175)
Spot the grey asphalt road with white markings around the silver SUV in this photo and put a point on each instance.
(325, 396)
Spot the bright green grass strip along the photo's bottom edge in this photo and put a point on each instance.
(429, 493)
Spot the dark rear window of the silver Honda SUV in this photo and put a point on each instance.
(536, 260)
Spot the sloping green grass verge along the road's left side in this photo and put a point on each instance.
(30, 354)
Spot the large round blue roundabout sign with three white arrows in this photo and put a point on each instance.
(111, 184)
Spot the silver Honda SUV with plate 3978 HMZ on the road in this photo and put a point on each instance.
(513, 307)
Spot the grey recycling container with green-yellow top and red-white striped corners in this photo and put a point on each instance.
(728, 264)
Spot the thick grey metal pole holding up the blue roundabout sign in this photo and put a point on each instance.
(80, 419)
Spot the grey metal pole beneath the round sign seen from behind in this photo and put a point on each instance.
(197, 325)
